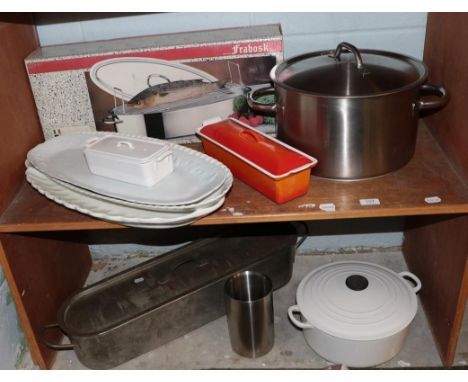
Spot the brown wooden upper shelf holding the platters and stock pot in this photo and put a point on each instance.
(400, 193)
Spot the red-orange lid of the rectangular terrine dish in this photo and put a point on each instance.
(269, 155)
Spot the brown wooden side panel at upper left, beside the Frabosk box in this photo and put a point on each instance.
(19, 124)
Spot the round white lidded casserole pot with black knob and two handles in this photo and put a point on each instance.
(355, 313)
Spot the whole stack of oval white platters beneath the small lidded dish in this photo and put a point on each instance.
(196, 187)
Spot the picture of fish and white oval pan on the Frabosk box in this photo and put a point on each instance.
(168, 99)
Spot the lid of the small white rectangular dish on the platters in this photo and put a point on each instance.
(128, 148)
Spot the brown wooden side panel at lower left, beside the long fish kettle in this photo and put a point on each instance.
(41, 273)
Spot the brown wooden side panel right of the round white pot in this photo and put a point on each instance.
(436, 250)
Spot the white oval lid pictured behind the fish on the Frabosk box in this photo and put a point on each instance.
(127, 76)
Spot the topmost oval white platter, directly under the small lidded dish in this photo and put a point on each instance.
(195, 175)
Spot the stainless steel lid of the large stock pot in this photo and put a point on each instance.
(349, 72)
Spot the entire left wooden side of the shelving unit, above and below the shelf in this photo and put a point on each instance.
(40, 272)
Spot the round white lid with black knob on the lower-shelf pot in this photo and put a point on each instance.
(356, 300)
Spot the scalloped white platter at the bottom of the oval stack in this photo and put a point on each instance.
(104, 210)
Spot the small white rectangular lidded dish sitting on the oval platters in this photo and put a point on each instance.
(131, 160)
